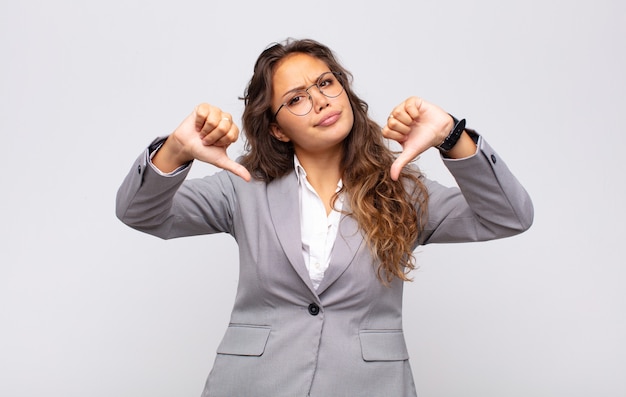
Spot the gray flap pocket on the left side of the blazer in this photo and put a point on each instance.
(244, 340)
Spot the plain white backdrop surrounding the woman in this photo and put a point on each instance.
(89, 307)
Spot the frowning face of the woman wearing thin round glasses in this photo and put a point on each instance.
(327, 124)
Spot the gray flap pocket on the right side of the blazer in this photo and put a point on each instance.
(383, 345)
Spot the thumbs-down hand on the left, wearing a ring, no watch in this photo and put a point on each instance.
(204, 135)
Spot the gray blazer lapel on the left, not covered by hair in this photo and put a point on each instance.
(284, 205)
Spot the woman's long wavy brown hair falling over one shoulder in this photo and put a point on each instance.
(391, 213)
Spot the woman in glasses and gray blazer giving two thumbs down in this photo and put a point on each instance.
(326, 218)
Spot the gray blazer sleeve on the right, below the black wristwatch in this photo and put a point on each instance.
(489, 202)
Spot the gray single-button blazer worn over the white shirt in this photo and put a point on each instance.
(285, 338)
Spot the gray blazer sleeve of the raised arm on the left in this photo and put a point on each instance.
(169, 206)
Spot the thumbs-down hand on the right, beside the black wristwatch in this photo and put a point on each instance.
(417, 126)
